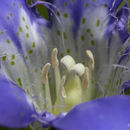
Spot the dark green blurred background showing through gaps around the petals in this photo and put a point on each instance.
(44, 13)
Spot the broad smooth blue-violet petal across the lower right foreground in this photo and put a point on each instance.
(110, 113)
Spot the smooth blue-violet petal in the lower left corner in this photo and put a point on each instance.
(16, 109)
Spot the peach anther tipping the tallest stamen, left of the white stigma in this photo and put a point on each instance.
(54, 59)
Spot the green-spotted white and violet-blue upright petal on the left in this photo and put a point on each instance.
(20, 41)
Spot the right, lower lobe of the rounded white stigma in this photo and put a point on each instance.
(78, 69)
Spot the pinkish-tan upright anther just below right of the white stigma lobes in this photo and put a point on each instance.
(86, 78)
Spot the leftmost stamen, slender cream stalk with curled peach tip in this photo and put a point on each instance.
(45, 70)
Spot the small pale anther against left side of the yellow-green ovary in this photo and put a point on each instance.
(62, 89)
